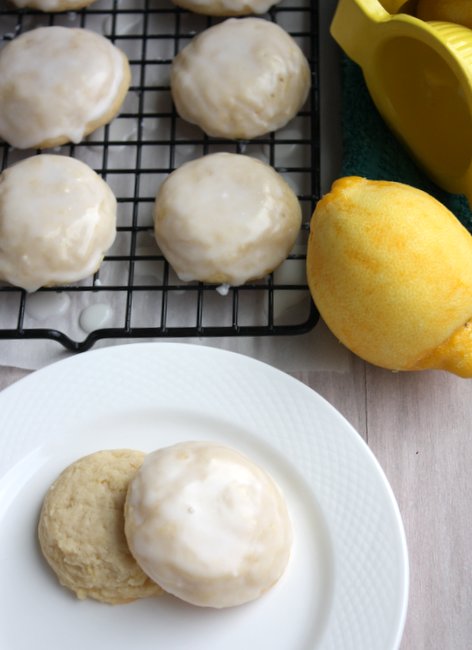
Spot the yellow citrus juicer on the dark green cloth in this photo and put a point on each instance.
(419, 75)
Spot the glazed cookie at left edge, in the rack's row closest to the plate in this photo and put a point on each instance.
(57, 219)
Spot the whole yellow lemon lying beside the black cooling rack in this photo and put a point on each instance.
(390, 270)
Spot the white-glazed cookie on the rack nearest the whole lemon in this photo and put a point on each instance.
(225, 218)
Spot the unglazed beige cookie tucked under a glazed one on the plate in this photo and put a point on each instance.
(81, 529)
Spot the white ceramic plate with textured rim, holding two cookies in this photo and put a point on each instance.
(347, 582)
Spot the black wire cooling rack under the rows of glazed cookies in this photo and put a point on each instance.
(136, 294)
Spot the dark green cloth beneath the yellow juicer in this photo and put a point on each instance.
(371, 150)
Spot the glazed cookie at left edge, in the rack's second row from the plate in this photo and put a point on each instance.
(58, 84)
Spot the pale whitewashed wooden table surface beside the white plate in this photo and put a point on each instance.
(419, 425)
